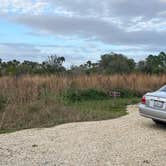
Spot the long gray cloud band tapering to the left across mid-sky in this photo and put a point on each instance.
(92, 28)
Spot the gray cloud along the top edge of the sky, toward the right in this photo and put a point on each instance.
(125, 8)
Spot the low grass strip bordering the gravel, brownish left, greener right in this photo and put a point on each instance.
(41, 114)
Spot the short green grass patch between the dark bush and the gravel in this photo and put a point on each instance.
(103, 109)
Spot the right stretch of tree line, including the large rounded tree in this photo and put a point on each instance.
(114, 63)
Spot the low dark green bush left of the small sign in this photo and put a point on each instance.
(77, 95)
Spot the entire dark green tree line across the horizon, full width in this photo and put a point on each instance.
(111, 63)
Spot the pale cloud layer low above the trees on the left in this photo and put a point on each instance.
(23, 51)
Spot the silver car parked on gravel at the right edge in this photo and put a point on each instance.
(153, 105)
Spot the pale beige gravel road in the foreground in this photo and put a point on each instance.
(128, 141)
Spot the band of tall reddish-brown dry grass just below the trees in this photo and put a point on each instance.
(30, 88)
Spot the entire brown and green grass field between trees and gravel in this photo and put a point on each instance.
(43, 101)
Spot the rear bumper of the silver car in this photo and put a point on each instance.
(152, 113)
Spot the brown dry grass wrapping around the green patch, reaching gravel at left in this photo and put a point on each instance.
(27, 104)
